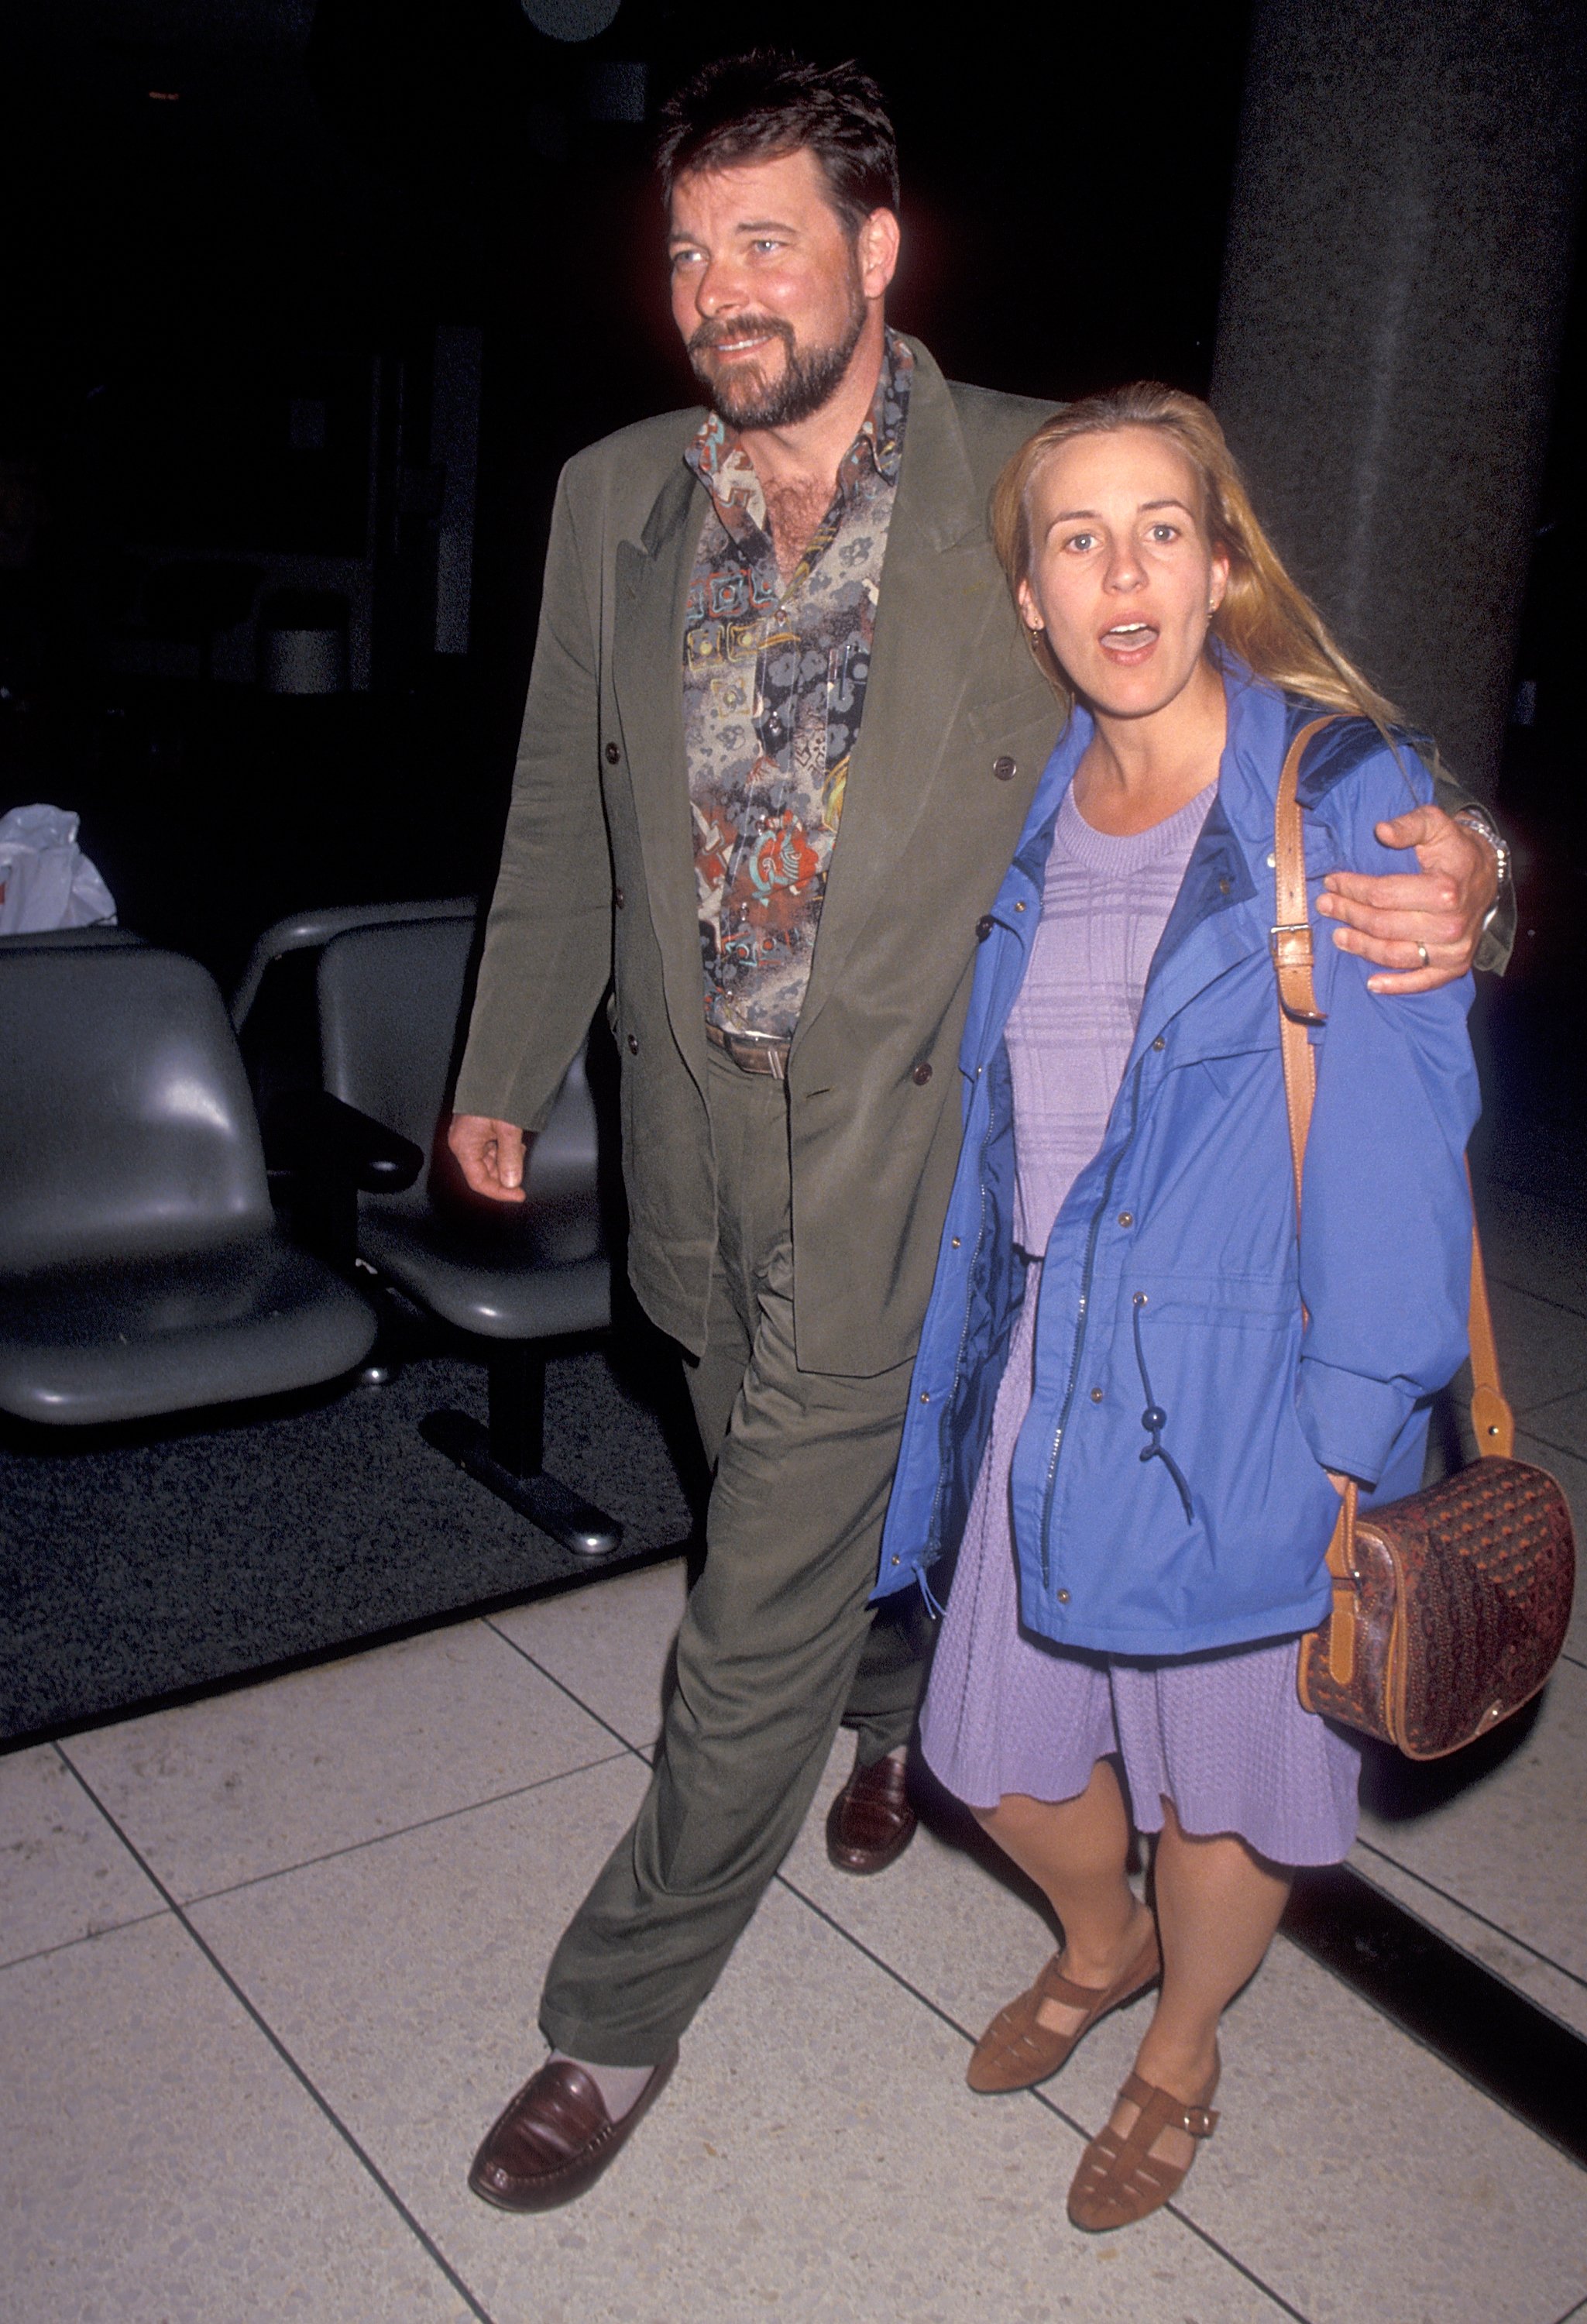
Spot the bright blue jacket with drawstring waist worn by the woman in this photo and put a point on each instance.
(1170, 1484)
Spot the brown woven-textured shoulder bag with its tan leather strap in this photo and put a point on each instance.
(1451, 1607)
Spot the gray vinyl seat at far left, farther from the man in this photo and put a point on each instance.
(141, 1263)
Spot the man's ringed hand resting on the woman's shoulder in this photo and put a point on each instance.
(1421, 924)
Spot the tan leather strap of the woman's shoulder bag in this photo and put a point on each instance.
(1298, 1010)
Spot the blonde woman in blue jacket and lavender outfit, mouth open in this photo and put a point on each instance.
(1137, 1396)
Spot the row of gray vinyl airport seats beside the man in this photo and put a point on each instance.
(145, 1268)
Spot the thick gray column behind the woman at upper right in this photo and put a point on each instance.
(1400, 248)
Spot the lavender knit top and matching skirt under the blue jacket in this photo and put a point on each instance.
(1219, 1735)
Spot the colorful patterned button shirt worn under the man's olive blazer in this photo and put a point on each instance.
(773, 698)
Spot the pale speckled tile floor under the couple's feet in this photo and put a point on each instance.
(268, 1967)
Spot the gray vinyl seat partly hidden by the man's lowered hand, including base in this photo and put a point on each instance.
(512, 1277)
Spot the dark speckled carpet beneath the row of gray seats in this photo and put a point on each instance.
(150, 1561)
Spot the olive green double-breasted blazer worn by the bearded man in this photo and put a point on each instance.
(598, 875)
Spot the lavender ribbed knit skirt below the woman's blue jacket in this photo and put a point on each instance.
(1219, 1735)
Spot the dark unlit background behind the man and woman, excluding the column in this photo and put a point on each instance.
(236, 229)
